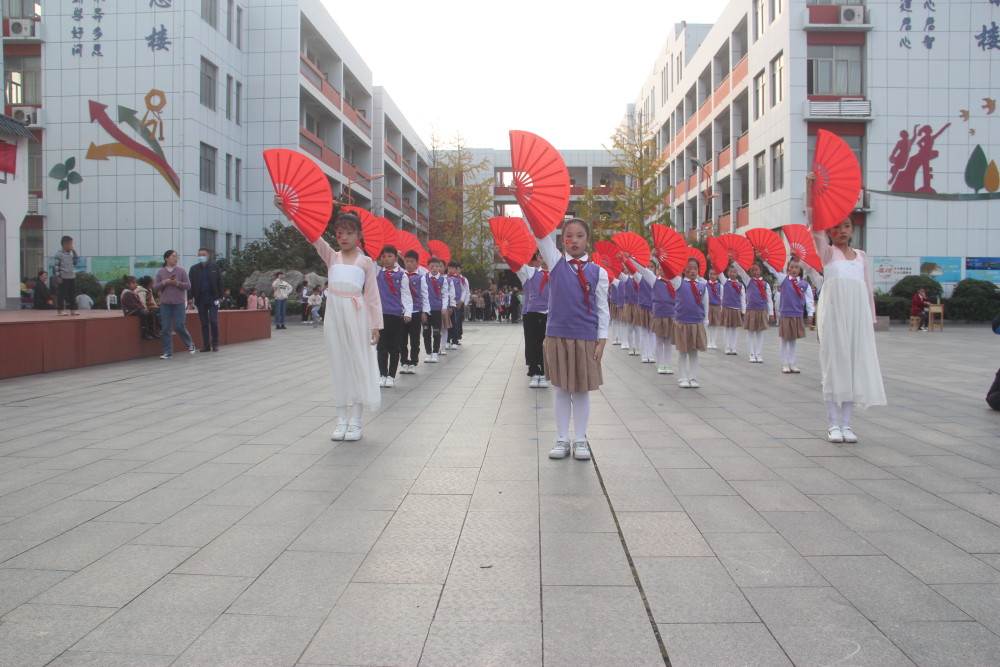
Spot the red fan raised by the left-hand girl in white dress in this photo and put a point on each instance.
(304, 190)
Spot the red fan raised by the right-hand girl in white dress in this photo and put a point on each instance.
(838, 181)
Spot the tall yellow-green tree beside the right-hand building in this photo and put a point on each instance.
(635, 157)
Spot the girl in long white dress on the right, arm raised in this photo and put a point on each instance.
(846, 313)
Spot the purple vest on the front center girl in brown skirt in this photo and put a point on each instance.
(568, 316)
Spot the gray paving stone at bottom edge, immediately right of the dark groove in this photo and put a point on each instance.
(721, 644)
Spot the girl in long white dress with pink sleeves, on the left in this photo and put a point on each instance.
(351, 326)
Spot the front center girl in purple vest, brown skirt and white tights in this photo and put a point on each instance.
(576, 333)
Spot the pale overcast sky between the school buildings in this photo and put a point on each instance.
(564, 70)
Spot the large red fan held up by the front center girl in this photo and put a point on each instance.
(541, 181)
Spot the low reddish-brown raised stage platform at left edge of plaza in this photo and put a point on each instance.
(39, 341)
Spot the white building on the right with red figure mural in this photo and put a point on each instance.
(911, 85)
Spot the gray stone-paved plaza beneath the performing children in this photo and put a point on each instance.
(195, 512)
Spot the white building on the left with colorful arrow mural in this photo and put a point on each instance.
(158, 112)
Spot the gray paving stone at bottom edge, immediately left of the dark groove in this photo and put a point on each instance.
(617, 631)
